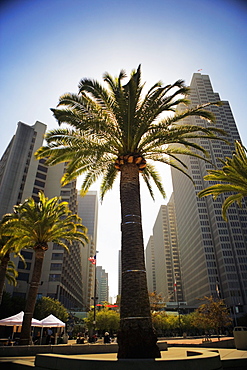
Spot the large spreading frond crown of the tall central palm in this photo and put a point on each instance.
(113, 127)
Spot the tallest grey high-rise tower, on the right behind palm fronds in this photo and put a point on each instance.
(213, 252)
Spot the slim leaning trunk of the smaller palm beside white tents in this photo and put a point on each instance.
(31, 298)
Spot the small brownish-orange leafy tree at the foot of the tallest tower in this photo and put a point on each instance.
(213, 314)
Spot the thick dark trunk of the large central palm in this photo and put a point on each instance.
(136, 338)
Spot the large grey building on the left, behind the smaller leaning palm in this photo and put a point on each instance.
(22, 176)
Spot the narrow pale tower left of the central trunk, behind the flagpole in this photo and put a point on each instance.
(88, 211)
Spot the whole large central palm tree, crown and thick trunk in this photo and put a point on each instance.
(117, 130)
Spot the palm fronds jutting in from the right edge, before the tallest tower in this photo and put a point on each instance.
(233, 178)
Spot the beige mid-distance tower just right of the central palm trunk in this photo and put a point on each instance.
(162, 257)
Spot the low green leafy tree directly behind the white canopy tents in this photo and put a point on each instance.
(46, 306)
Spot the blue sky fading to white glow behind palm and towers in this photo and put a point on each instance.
(47, 46)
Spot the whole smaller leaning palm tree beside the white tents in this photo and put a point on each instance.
(34, 225)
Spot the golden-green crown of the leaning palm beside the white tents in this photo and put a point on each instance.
(33, 225)
